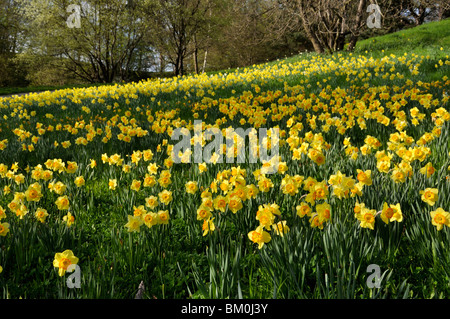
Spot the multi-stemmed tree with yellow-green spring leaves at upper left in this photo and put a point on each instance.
(101, 48)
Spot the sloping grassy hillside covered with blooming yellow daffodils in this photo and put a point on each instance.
(362, 180)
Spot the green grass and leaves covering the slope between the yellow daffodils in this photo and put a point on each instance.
(175, 260)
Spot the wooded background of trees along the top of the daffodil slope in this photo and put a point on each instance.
(121, 41)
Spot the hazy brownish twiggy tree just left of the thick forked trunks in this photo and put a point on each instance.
(247, 32)
